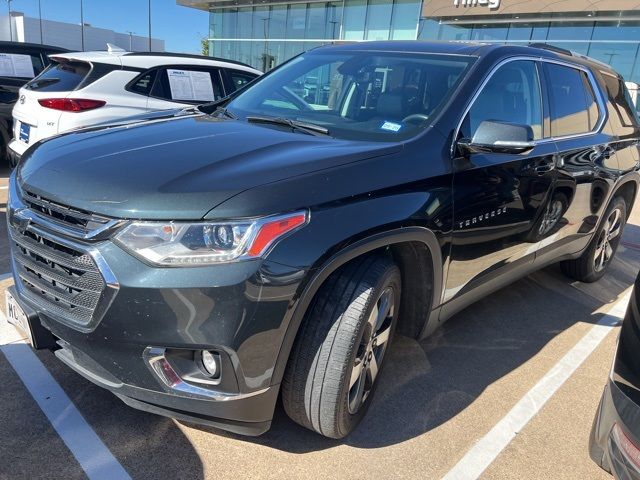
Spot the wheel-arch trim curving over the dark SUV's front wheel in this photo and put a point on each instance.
(356, 249)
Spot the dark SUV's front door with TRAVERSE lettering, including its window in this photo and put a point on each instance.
(499, 197)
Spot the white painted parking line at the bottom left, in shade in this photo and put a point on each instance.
(92, 454)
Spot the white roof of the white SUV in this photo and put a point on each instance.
(153, 59)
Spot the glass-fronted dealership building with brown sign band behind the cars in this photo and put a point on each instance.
(264, 33)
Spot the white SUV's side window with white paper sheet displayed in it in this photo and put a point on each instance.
(188, 84)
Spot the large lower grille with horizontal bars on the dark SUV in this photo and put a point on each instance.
(64, 281)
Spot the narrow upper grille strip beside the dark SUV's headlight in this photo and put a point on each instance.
(74, 218)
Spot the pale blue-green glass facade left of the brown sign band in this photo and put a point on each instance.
(267, 35)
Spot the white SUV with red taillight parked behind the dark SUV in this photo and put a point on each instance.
(87, 88)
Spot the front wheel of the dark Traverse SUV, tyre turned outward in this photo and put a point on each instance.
(341, 346)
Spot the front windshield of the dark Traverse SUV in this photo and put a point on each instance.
(360, 95)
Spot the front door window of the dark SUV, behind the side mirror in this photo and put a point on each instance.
(512, 95)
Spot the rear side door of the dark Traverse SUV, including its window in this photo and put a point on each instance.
(586, 160)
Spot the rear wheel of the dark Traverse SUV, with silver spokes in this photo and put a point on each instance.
(595, 261)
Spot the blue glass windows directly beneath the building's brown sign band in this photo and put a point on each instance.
(612, 41)
